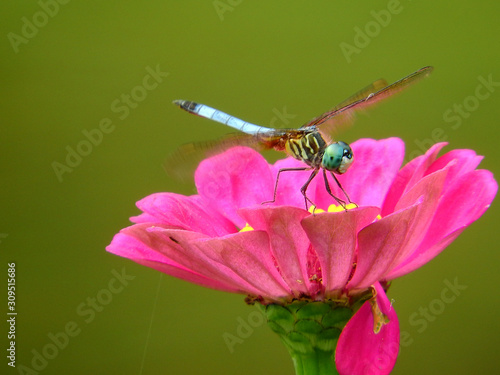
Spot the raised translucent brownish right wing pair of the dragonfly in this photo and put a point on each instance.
(343, 113)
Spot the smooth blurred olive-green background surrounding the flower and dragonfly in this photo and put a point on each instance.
(253, 59)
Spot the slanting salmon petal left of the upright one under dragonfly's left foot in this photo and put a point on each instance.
(248, 255)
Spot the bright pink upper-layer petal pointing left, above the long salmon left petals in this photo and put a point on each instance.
(182, 212)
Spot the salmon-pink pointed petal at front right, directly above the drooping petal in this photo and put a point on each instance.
(378, 245)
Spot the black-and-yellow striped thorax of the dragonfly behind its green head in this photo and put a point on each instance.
(308, 148)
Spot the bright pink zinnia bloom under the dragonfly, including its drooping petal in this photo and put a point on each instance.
(405, 218)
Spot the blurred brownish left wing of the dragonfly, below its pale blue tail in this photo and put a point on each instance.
(183, 161)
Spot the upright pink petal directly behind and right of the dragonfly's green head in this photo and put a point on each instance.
(376, 163)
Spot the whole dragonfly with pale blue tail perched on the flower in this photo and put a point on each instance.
(311, 144)
